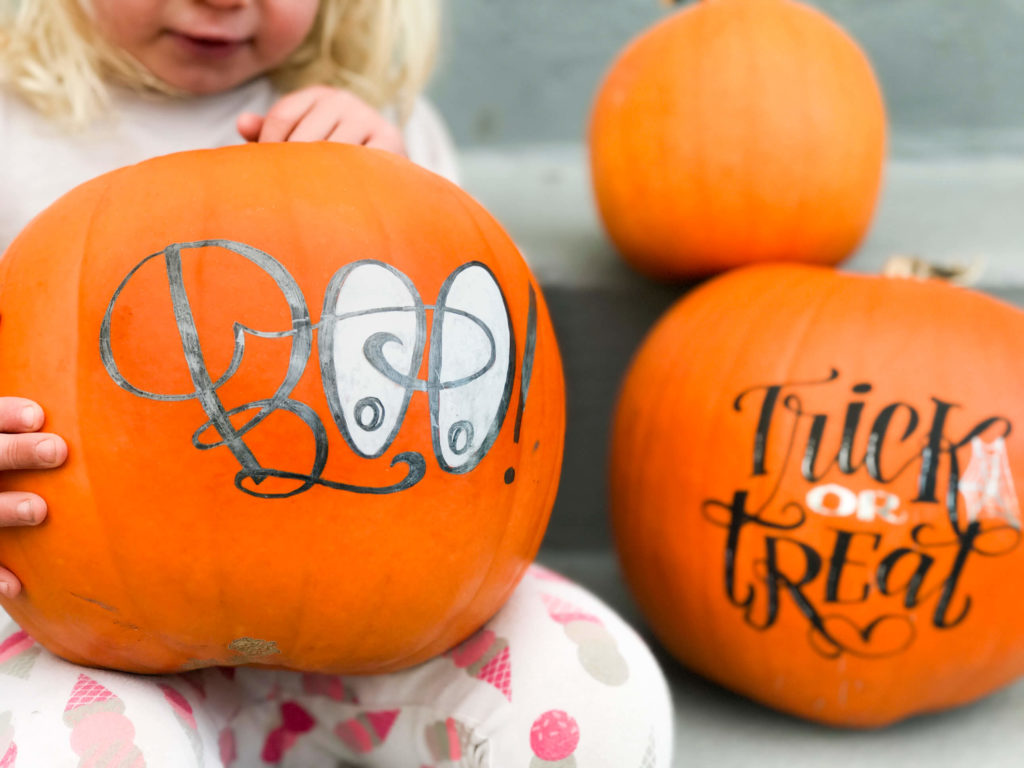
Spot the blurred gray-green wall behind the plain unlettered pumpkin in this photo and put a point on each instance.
(526, 71)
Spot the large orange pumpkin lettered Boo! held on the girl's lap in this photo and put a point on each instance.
(315, 411)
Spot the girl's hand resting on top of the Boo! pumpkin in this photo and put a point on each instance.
(321, 113)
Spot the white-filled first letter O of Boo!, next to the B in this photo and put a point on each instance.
(371, 340)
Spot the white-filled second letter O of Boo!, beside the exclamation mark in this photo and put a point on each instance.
(473, 361)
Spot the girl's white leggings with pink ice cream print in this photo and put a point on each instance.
(556, 680)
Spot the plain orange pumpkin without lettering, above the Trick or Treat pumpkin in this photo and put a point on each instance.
(738, 132)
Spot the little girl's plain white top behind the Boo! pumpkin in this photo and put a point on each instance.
(40, 161)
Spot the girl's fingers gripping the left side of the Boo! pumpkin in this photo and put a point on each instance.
(23, 447)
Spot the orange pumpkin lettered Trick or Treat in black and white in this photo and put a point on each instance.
(813, 488)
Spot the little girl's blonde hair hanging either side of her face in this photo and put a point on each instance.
(52, 55)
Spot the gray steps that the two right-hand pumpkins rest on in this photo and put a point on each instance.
(949, 211)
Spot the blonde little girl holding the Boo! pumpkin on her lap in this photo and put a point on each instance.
(554, 680)
